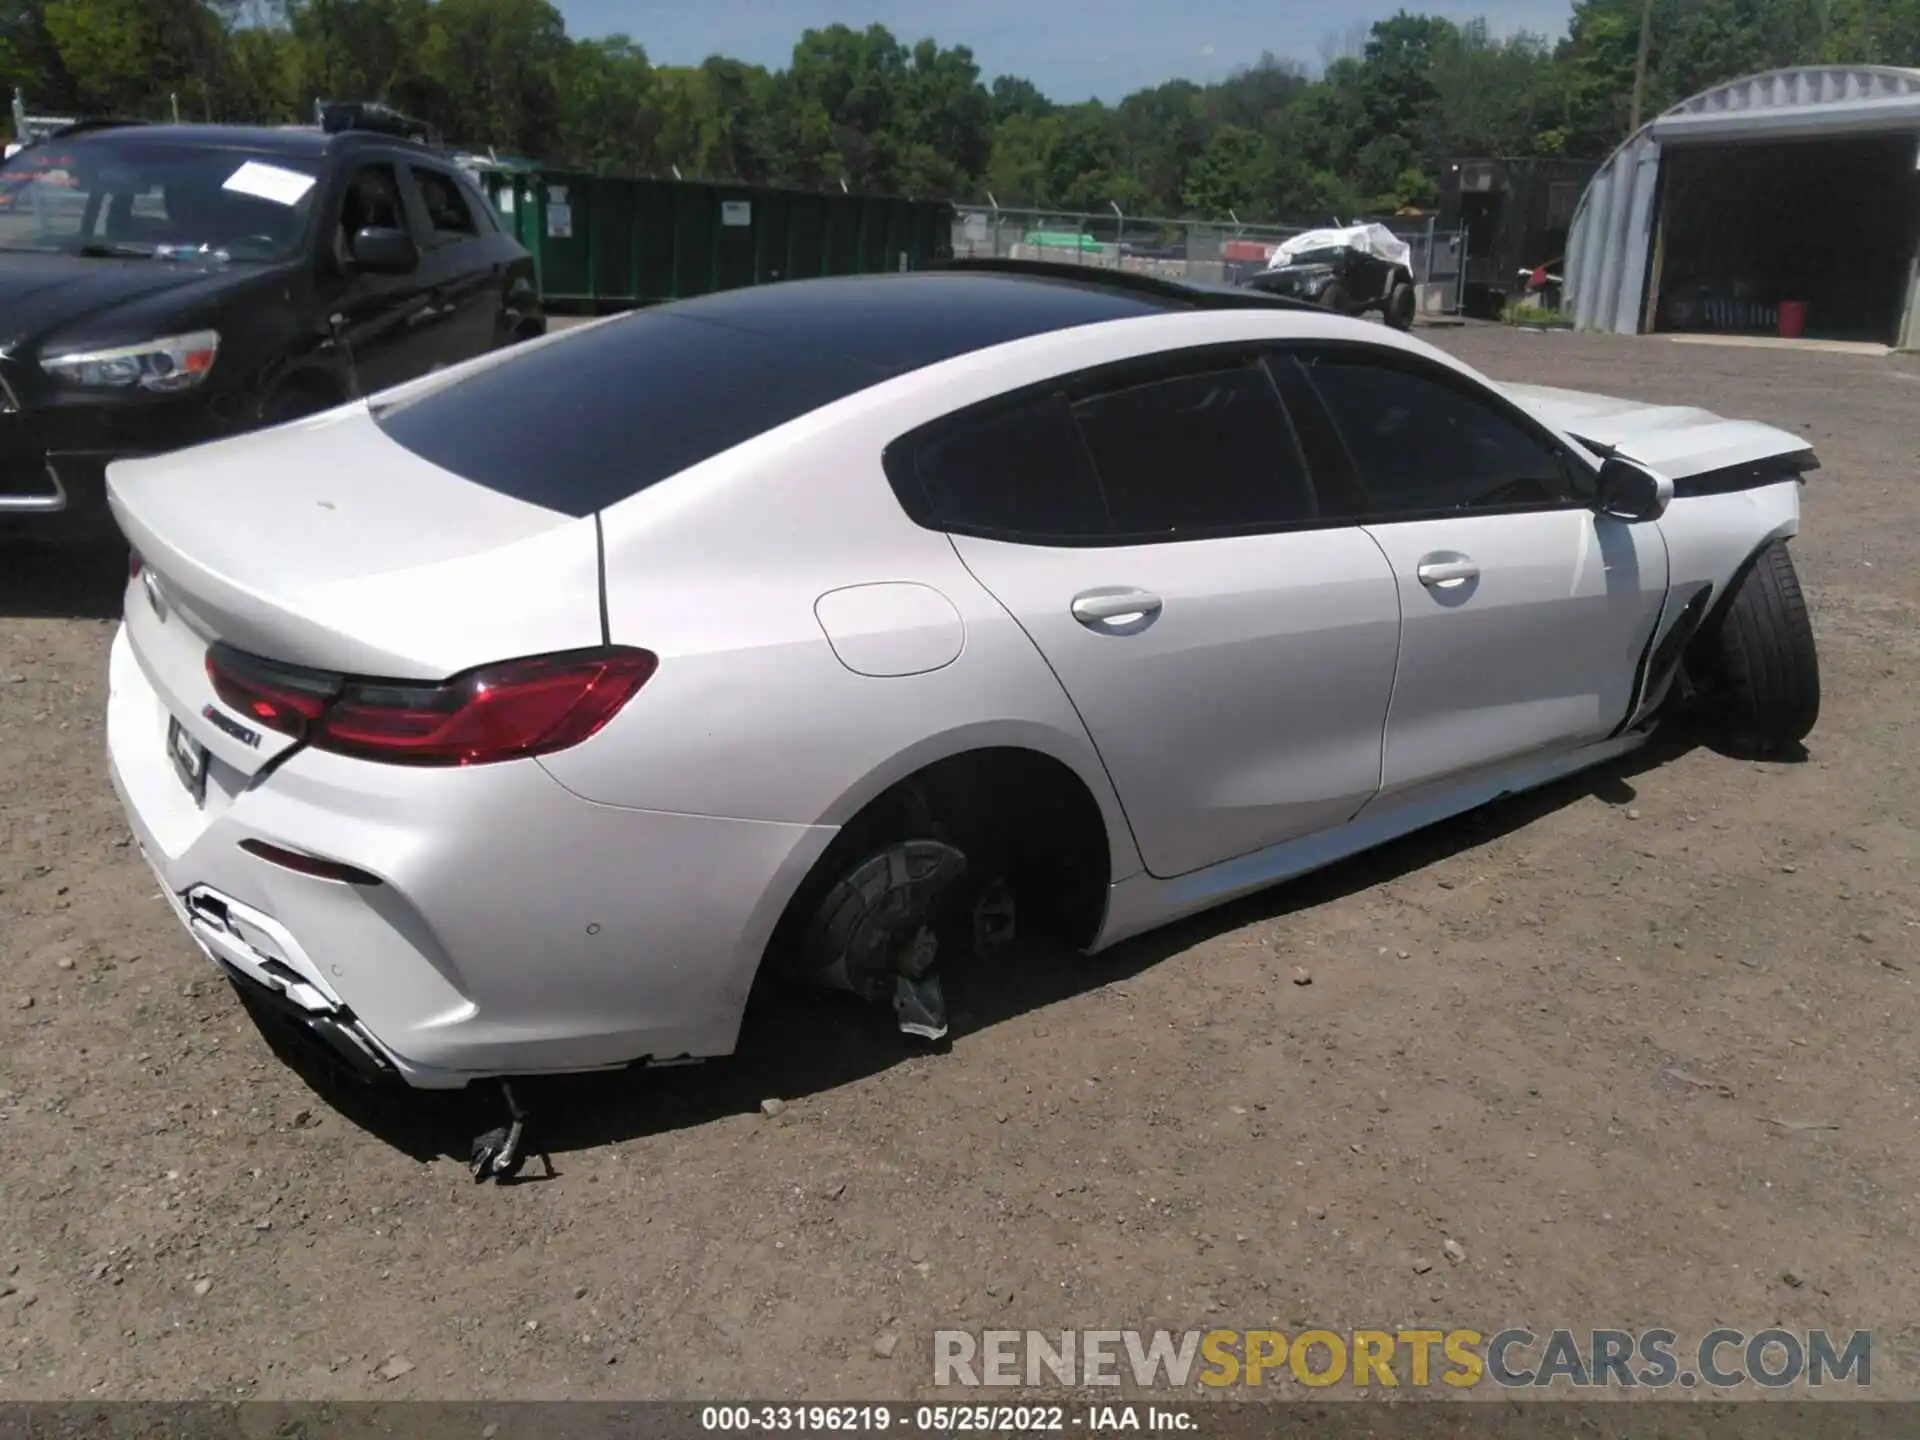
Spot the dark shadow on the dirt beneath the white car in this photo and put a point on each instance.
(807, 1044)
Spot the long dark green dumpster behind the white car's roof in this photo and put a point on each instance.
(613, 243)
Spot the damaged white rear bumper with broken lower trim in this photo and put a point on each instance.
(504, 926)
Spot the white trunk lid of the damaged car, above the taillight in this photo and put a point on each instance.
(324, 544)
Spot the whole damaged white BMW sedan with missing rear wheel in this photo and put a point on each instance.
(519, 719)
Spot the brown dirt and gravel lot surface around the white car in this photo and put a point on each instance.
(1644, 1047)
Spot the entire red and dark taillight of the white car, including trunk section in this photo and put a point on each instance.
(498, 713)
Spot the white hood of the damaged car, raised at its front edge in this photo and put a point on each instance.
(1677, 441)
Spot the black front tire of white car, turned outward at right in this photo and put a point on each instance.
(1762, 660)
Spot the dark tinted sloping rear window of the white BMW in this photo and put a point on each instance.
(590, 421)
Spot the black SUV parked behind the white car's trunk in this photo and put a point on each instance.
(164, 285)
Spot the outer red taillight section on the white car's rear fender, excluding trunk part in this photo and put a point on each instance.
(496, 713)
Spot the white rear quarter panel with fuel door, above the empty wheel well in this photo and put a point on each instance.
(752, 713)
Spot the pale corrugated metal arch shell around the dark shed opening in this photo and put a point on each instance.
(1614, 222)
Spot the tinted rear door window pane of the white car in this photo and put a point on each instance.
(1197, 454)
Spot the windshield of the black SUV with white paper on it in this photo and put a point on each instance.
(120, 193)
